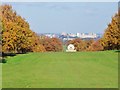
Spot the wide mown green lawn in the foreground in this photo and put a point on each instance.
(62, 70)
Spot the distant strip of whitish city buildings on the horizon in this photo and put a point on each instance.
(70, 36)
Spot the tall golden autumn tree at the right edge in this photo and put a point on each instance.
(111, 37)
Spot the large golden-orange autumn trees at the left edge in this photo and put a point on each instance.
(16, 34)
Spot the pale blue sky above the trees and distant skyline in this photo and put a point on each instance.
(69, 17)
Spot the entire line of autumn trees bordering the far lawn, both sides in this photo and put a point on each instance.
(17, 37)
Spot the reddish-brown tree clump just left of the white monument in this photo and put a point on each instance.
(52, 44)
